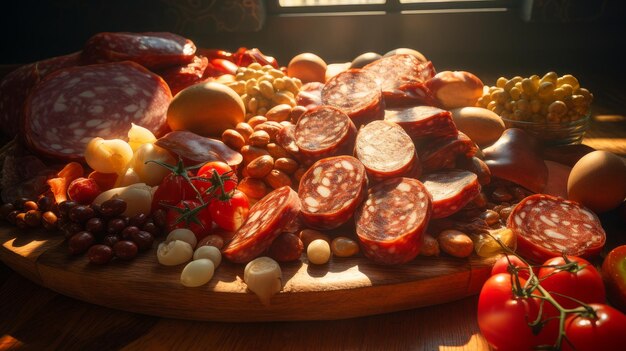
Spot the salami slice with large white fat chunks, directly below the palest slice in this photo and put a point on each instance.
(331, 190)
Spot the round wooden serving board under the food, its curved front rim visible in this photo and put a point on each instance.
(344, 288)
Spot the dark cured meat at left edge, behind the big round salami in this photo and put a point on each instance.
(16, 86)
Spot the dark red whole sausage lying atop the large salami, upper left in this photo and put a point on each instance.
(154, 50)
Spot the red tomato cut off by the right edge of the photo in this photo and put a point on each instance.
(614, 274)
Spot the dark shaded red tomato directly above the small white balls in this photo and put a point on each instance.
(192, 215)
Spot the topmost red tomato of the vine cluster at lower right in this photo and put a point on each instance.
(580, 281)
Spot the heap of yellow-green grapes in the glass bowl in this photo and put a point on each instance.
(547, 99)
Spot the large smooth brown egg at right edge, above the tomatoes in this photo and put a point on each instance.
(598, 181)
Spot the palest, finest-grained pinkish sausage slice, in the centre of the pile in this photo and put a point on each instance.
(386, 151)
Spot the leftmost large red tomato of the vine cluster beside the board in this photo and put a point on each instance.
(503, 317)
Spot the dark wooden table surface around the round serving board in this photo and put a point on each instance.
(33, 317)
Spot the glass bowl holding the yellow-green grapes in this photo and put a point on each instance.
(564, 133)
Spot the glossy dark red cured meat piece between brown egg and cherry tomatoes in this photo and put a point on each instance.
(195, 149)
